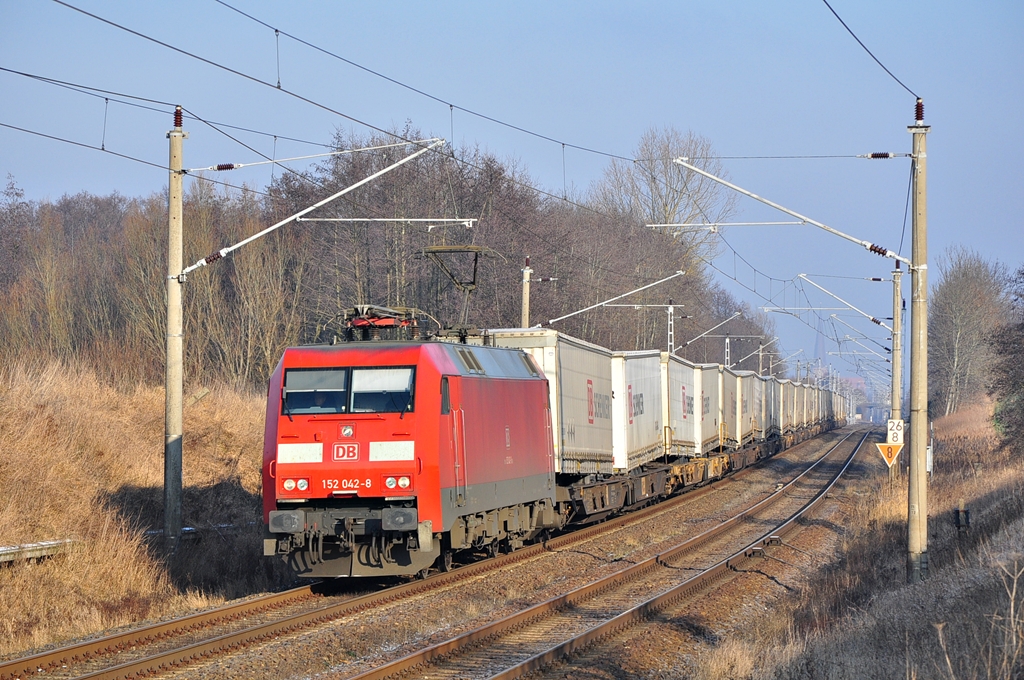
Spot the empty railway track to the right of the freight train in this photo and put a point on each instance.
(523, 644)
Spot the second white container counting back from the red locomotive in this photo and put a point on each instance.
(636, 409)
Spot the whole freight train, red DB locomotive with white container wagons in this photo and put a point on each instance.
(389, 458)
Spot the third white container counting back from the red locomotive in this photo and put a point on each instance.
(680, 399)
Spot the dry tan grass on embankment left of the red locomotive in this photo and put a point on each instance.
(79, 459)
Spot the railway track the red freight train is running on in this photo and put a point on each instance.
(178, 644)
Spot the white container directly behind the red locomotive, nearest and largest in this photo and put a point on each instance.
(580, 379)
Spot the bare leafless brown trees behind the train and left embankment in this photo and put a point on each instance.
(82, 278)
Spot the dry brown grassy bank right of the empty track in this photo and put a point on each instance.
(860, 619)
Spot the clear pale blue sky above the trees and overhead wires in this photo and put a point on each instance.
(756, 78)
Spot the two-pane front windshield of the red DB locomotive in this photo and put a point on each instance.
(319, 392)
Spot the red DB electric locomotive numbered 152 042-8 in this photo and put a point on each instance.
(383, 458)
